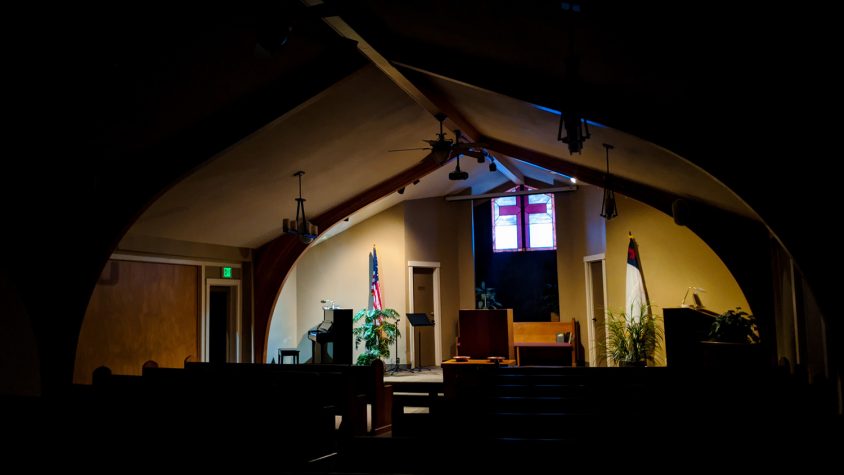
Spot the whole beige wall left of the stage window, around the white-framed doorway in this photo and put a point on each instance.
(418, 230)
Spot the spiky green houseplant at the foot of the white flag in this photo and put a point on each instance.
(632, 341)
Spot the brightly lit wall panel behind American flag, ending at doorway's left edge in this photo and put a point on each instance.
(338, 269)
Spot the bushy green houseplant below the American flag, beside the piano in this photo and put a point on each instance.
(377, 331)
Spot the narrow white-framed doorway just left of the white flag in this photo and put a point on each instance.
(596, 305)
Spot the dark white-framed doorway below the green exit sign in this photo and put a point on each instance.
(222, 321)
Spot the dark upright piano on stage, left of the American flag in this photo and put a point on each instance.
(331, 340)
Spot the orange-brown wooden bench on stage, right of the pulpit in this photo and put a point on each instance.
(537, 341)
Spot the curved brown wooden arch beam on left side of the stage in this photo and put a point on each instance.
(274, 259)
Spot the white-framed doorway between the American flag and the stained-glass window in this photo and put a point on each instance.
(424, 297)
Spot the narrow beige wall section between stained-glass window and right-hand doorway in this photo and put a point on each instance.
(580, 232)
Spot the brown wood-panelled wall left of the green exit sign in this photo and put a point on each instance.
(139, 311)
